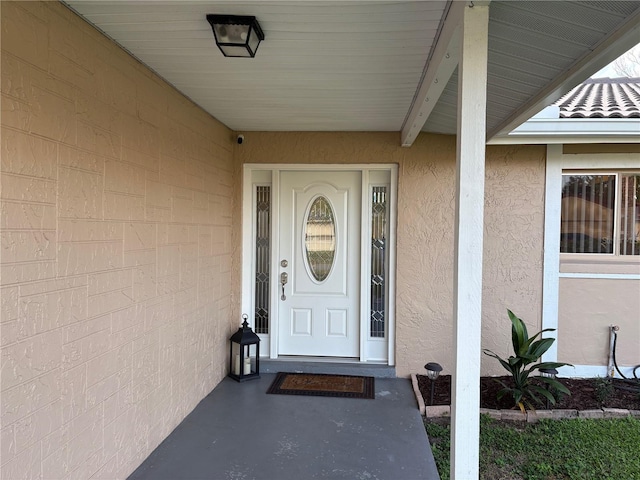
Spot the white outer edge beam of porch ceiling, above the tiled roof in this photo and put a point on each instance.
(602, 54)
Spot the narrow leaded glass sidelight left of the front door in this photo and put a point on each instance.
(263, 253)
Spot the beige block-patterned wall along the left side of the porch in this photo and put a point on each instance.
(115, 251)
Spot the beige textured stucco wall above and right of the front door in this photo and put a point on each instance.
(426, 207)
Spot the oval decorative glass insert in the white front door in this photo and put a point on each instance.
(320, 238)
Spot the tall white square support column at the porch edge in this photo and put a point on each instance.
(472, 95)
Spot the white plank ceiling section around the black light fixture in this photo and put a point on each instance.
(322, 65)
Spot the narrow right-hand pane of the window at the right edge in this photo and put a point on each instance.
(630, 215)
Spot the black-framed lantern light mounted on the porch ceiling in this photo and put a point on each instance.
(236, 35)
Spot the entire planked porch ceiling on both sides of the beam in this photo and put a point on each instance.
(359, 65)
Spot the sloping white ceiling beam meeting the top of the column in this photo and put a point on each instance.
(439, 67)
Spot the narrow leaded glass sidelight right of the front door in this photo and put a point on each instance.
(378, 261)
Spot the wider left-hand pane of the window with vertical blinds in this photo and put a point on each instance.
(587, 213)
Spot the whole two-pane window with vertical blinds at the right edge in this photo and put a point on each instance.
(600, 213)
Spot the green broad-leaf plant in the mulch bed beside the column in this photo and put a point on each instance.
(521, 366)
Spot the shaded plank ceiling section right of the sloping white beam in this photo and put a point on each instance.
(533, 45)
